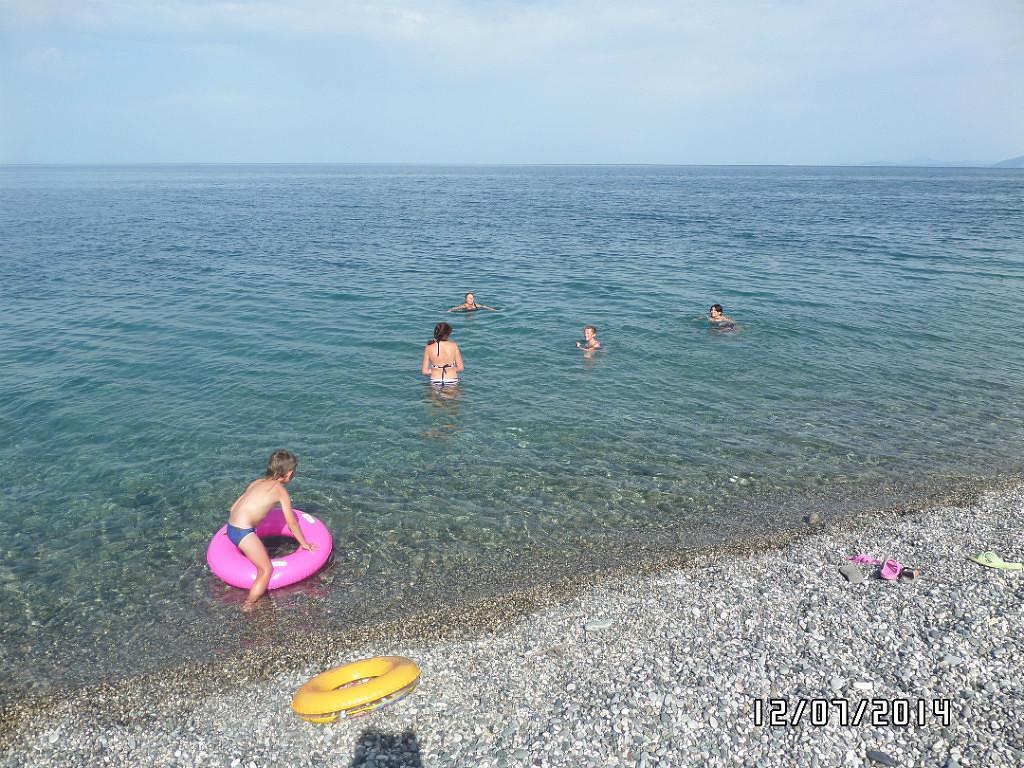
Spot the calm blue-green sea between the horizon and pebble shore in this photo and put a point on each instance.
(166, 328)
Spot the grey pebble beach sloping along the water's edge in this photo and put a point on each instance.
(681, 666)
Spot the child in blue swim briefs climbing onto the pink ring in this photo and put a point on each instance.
(250, 508)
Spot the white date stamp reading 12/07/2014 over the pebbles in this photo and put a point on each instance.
(875, 712)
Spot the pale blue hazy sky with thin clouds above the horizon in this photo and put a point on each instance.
(815, 82)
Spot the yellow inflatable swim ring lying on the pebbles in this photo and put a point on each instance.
(356, 690)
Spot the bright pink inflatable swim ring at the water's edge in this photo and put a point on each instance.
(234, 568)
